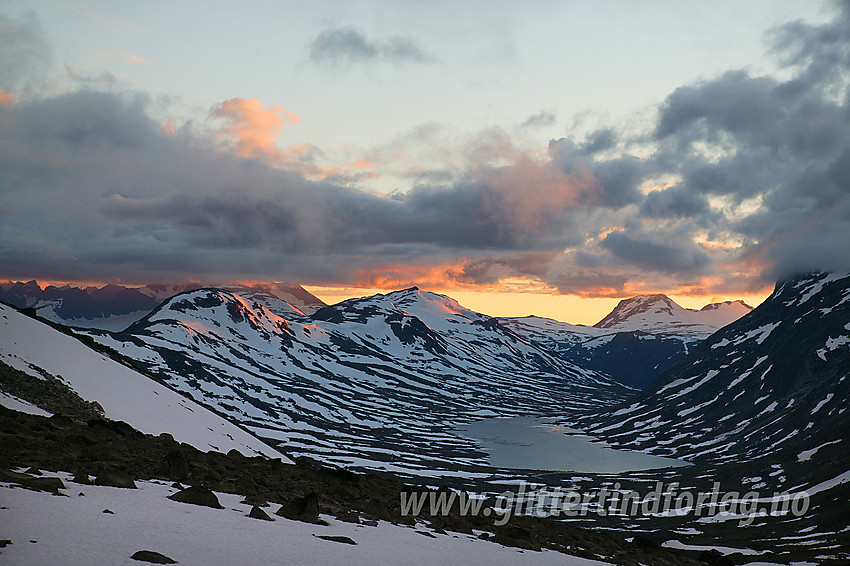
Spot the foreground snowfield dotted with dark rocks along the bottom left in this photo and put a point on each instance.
(76, 530)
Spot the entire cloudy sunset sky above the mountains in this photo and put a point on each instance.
(547, 157)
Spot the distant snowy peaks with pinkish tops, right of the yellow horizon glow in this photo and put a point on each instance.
(659, 314)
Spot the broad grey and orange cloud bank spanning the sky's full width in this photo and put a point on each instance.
(739, 180)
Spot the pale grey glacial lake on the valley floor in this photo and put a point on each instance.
(528, 443)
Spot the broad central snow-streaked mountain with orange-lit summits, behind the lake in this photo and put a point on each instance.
(379, 382)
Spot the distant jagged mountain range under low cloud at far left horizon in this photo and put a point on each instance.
(115, 307)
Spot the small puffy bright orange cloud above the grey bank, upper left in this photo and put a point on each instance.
(253, 127)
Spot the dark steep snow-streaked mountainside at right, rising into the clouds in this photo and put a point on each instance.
(775, 378)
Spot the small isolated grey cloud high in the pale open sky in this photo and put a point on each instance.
(346, 45)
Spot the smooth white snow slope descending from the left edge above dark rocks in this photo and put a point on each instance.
(46, 354)
